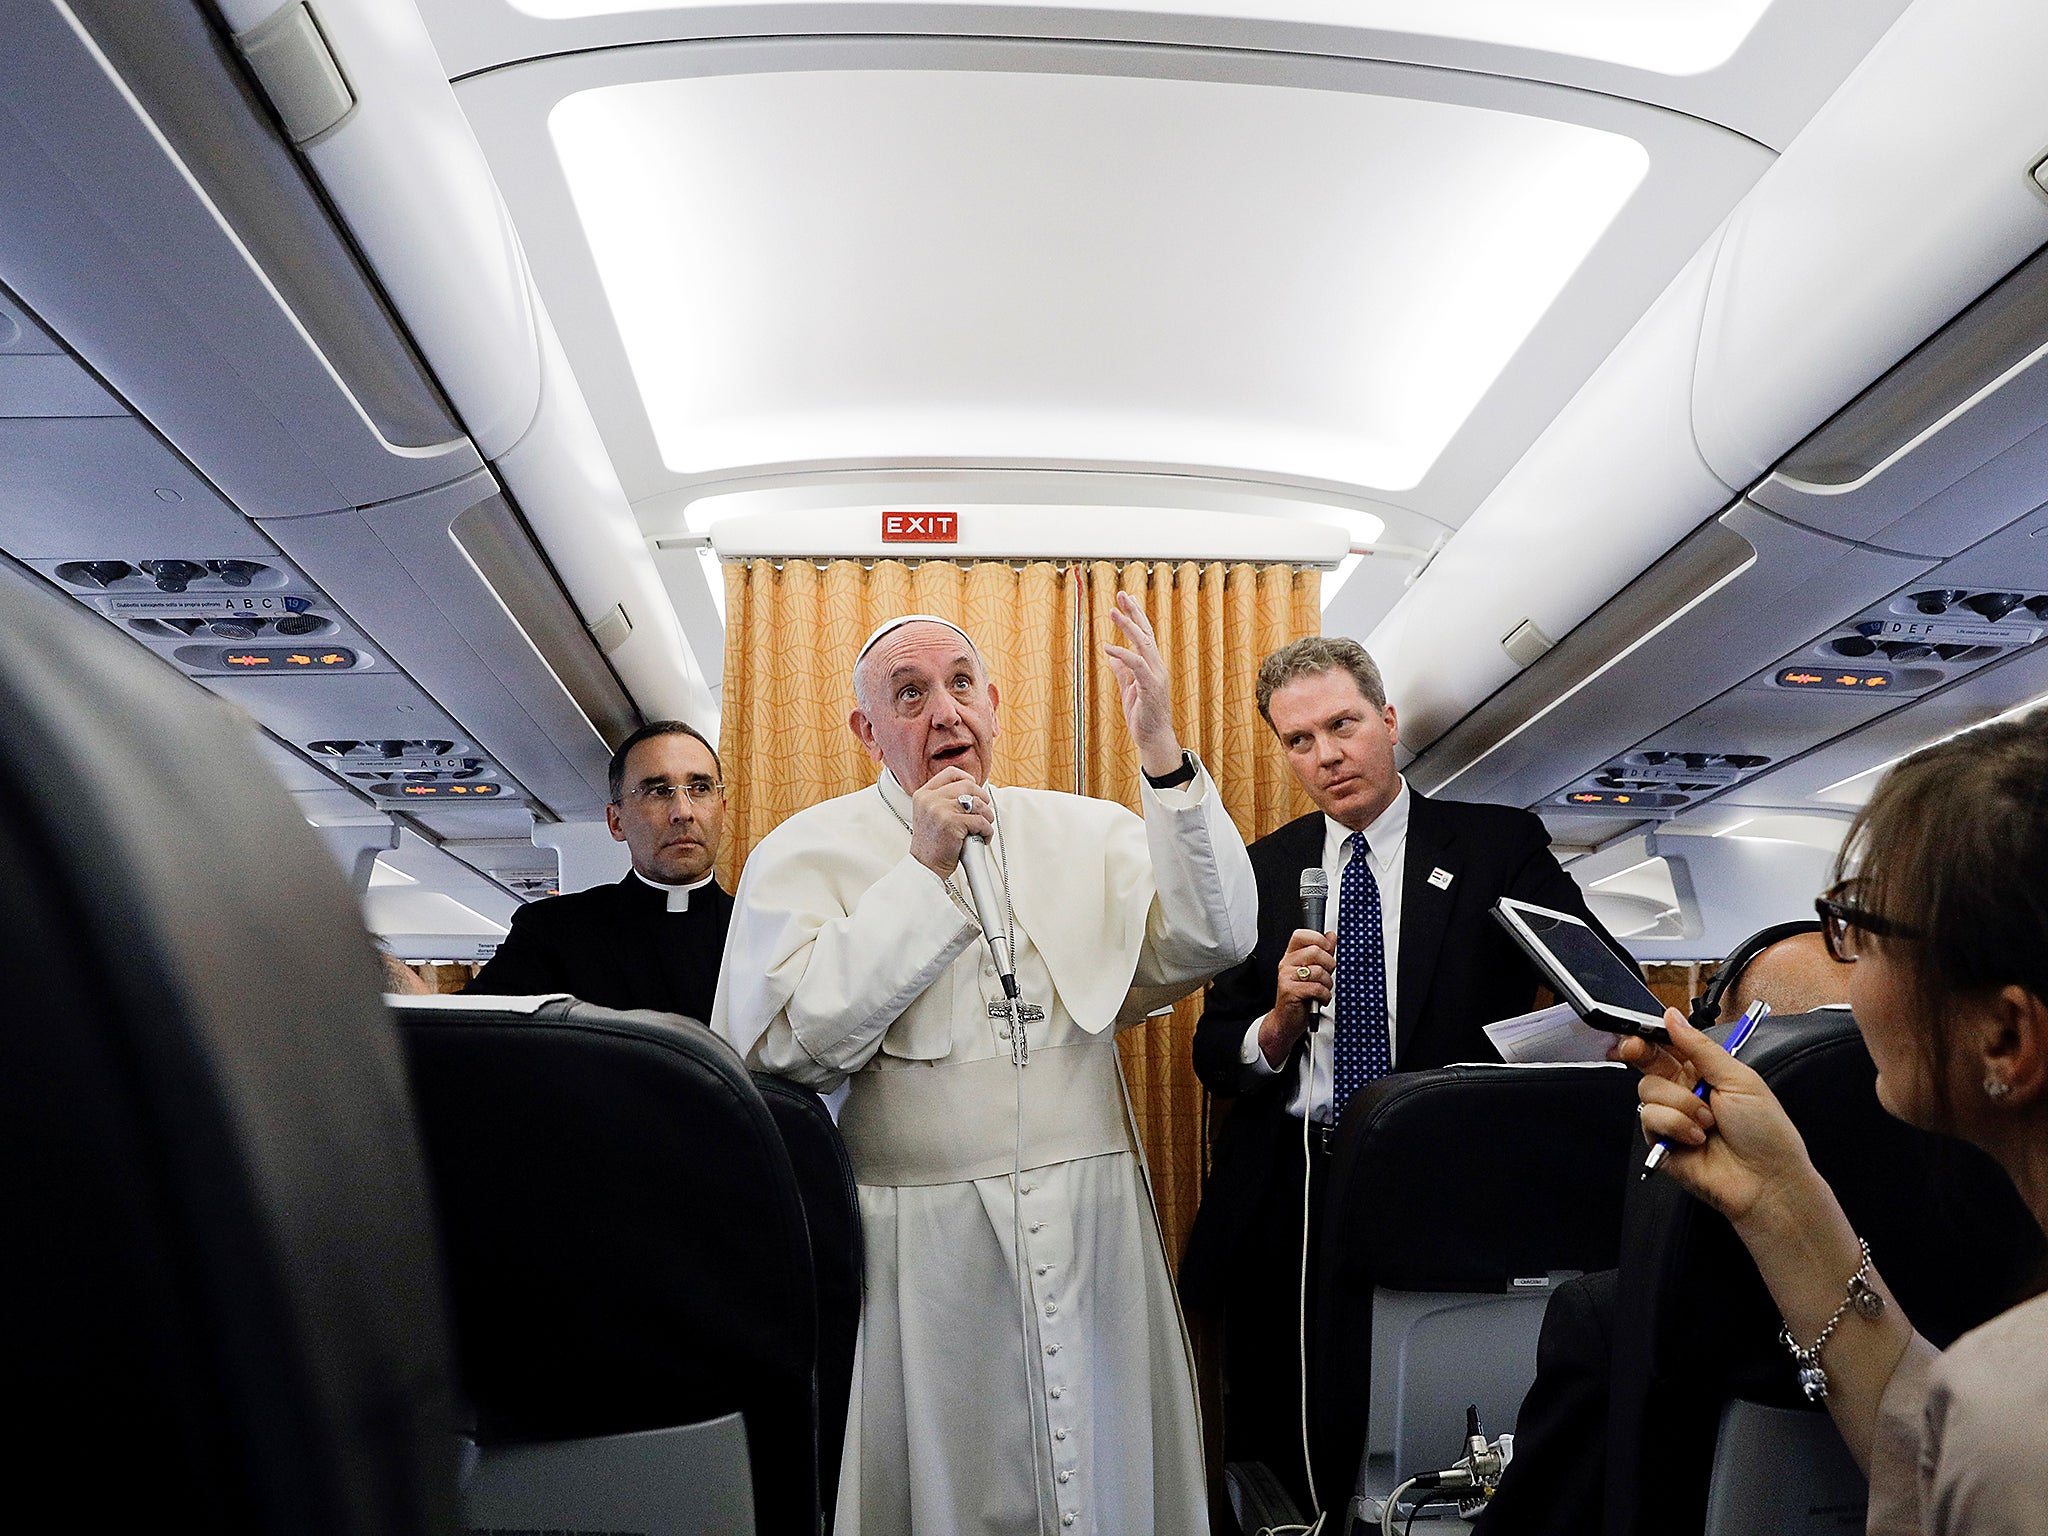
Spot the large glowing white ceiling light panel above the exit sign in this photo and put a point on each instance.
(996, 267)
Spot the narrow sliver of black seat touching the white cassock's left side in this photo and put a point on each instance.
(833, 1213)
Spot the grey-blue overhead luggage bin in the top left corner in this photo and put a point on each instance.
(159, 226)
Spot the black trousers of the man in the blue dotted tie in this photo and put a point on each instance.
(1263, 1328)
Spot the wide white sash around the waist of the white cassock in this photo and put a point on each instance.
(949, 1123)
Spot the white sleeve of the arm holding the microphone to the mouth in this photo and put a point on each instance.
(845, 980)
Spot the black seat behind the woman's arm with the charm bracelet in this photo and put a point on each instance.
(1697, 1357)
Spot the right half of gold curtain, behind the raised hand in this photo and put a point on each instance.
(1215, 624)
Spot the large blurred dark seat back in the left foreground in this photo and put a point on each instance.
(222, 1293)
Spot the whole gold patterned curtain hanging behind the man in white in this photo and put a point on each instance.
(792, 634)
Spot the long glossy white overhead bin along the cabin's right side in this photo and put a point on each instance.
(1904, 200)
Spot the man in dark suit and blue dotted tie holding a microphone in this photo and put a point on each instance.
(1414, 964)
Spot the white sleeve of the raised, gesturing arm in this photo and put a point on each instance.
(1205, 914)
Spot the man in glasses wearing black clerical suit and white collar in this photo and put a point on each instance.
(656, 937)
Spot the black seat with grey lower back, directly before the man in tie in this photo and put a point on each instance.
(1457, 1199)
